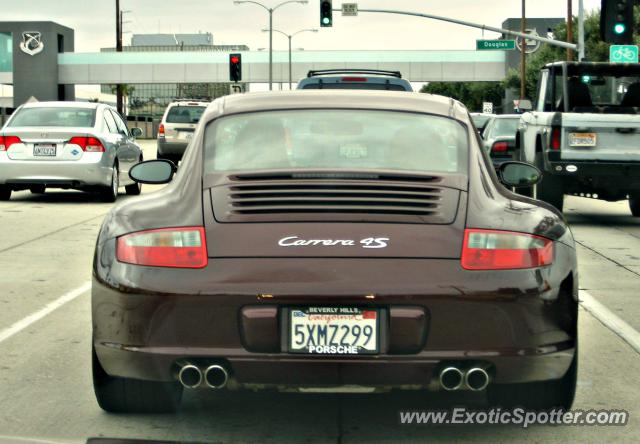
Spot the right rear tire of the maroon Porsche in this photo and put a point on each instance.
(544, 395)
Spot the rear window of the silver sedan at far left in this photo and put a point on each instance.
(51, 116)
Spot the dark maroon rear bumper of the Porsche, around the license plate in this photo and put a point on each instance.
(513, 322)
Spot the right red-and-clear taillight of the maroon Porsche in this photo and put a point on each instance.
(504, 250)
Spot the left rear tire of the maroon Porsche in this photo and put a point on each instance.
(126, 395)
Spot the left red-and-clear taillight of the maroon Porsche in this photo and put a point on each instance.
(183, 247)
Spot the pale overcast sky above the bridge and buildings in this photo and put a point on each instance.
(93, 21)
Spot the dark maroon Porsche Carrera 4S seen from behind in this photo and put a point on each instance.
(324, 240)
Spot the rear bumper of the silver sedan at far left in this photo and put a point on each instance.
(92, 171)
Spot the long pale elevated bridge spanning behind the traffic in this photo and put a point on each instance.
(213, 67)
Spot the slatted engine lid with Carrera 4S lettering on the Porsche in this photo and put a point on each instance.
(328, 214)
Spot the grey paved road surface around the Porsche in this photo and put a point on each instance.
(46, 394)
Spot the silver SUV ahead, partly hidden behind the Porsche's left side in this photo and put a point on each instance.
(177, 126)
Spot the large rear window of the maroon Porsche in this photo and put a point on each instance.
(336, 139)
